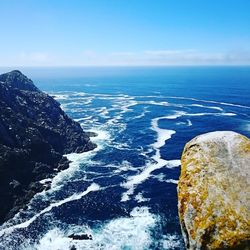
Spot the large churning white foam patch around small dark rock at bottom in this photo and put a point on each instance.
(133, 232)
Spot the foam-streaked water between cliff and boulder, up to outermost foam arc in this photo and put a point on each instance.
(124, 192)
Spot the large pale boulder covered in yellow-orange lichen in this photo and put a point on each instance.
(214, 192)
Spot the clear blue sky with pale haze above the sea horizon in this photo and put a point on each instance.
(124, 32)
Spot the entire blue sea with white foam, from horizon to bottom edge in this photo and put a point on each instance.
(124, 192)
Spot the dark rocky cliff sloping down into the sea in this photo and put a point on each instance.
(34, 134)
